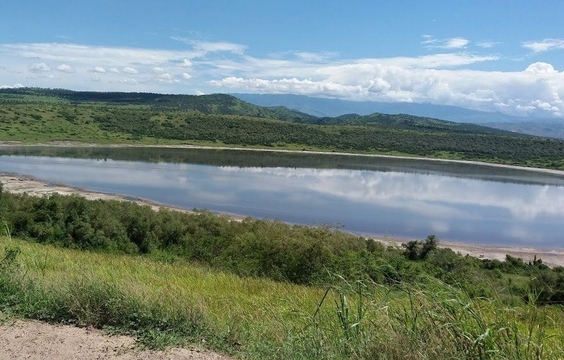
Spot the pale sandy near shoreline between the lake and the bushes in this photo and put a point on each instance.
(19, 184)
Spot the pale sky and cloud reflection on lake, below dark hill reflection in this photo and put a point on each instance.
(393, 203)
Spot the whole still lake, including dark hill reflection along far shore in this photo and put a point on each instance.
(366, 195)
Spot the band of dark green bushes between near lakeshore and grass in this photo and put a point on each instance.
(267, 249)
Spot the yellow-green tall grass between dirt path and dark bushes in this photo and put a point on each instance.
(177, 303)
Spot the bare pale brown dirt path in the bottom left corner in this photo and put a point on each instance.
(38, 341)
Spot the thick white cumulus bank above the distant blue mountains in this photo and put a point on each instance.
(537, 90)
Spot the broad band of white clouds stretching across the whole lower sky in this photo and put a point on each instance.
(443, 78)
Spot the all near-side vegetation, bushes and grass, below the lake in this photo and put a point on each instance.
(262, 289)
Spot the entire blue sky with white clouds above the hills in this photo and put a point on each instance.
(488, 55)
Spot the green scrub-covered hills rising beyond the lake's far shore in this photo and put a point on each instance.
(38, 115)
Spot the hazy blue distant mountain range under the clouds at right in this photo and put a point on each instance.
(322, 107)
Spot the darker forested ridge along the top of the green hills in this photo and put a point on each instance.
(222, 104)
